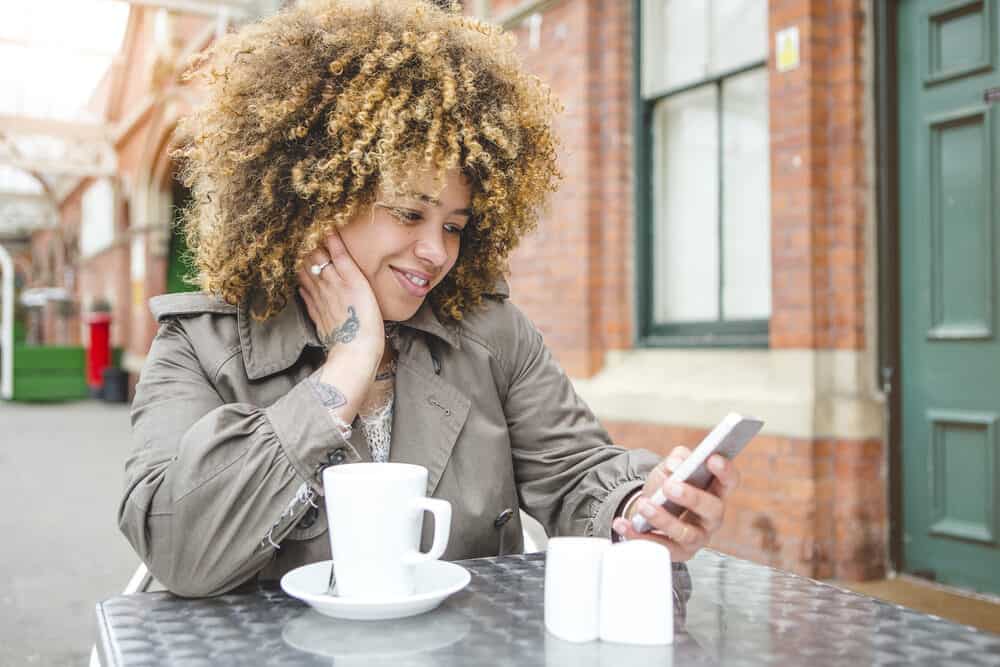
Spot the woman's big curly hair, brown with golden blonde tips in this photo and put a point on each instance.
(309, 112)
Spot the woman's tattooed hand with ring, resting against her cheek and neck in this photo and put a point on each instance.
(342, 305)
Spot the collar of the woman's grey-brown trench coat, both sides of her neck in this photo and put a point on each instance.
(277, 343)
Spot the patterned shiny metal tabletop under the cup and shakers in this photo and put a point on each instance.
(739, 613)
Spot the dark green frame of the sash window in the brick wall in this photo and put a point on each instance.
(649, 333)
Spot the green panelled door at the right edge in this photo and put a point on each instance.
(949, 145)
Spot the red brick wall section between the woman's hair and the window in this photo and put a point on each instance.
(583, 249)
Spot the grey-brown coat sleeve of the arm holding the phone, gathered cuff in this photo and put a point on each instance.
(569, 475)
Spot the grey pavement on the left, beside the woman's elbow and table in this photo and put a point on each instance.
(60, 551)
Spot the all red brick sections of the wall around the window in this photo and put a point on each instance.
(815, 505)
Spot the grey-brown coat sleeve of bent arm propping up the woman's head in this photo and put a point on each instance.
(213, 487)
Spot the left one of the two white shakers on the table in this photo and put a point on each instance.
(573, 587)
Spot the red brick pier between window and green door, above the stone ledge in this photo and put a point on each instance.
(818, 178)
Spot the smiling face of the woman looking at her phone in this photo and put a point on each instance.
(405, 245)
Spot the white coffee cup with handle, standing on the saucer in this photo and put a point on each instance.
(375, 513)
